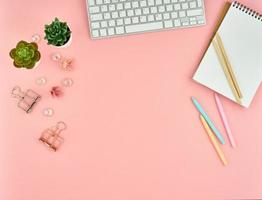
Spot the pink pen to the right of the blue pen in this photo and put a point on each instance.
(225, 121)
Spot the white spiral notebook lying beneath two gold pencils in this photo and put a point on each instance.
(241, 33)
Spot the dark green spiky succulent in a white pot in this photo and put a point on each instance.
(57, 33)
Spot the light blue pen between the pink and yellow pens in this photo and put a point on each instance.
(208, 120)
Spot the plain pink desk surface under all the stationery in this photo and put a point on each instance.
(133, 133)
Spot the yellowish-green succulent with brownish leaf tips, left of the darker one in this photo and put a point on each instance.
(25, 55)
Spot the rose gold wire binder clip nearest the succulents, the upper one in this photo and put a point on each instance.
(27, 99)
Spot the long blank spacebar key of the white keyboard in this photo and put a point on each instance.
(144, 27)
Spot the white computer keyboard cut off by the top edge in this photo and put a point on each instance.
(120, 17)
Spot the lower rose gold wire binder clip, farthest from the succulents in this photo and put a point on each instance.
(51, 136)
